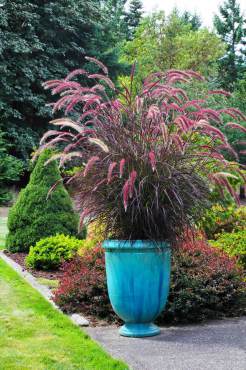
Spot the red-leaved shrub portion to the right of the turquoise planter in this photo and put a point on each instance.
(205, 283)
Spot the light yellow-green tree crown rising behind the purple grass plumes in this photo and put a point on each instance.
(164, 42)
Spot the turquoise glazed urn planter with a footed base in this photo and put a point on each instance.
(138, 279)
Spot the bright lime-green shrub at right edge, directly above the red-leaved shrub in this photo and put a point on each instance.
(234, 244)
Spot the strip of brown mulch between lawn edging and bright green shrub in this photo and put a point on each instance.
(20, 259)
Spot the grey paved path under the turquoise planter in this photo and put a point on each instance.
(218, 345)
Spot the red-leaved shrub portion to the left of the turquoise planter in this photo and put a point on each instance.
(83, 287)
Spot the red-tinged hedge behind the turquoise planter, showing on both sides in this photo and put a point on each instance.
(205, 283)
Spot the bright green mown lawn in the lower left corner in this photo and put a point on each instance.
(33, 335)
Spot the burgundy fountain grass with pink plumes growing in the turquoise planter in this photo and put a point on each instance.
(148, 160)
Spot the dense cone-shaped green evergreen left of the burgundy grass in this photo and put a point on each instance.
(34, 216)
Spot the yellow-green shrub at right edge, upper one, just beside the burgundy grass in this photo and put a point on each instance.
(220, 219)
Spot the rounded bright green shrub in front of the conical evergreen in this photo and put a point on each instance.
(49, 253)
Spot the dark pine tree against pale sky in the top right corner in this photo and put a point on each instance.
(231, 26)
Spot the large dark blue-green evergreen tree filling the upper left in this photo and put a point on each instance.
(41, 40)
